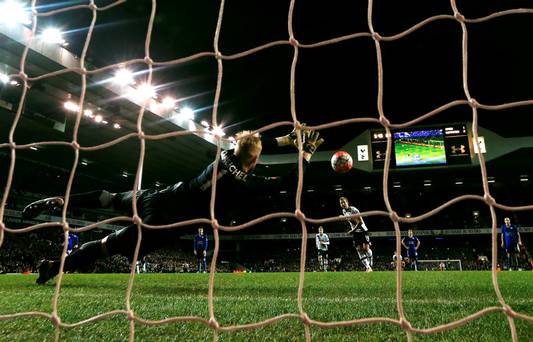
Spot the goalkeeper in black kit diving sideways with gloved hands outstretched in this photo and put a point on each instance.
(178, 202)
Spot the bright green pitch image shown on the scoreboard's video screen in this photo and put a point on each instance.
(405, 155)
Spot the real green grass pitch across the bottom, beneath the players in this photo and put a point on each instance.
(430, 299)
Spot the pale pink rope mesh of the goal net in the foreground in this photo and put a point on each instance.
(307, 321)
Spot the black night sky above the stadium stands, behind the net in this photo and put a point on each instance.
(421, 71)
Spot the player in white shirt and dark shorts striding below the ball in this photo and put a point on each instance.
(359, 232)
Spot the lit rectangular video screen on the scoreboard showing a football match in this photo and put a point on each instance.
(421, 147)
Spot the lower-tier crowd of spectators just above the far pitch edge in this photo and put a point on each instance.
(21, 253)
